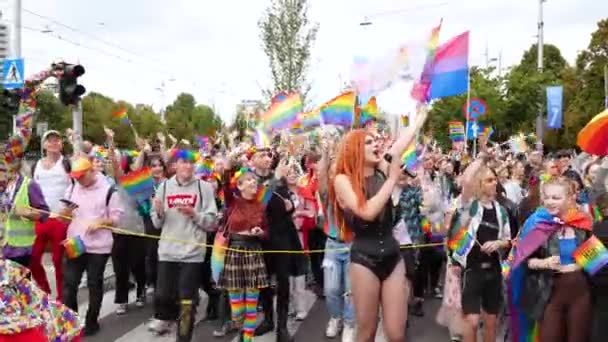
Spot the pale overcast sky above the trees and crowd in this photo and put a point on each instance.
(149, 51)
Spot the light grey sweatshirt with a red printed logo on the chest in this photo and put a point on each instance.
(176, 226)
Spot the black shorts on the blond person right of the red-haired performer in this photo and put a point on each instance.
(481, 289)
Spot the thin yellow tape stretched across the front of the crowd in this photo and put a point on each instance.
(205, 245)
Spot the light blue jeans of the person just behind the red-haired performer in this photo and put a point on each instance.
(337, 282)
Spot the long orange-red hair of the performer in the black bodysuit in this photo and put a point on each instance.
(350, 161)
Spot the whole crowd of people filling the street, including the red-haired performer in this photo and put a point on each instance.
(349, 221)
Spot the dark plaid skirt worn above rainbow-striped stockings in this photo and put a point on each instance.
(243, 269)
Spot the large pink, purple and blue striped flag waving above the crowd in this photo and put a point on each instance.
(450, 74)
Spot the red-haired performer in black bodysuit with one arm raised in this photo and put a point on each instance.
(359, 196)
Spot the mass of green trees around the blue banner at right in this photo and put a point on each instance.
(515, 99)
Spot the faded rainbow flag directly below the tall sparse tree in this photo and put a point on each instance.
(283, 113)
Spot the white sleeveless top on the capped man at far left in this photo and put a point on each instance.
(53, 182)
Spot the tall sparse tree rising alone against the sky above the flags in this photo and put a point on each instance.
(287, 36)
